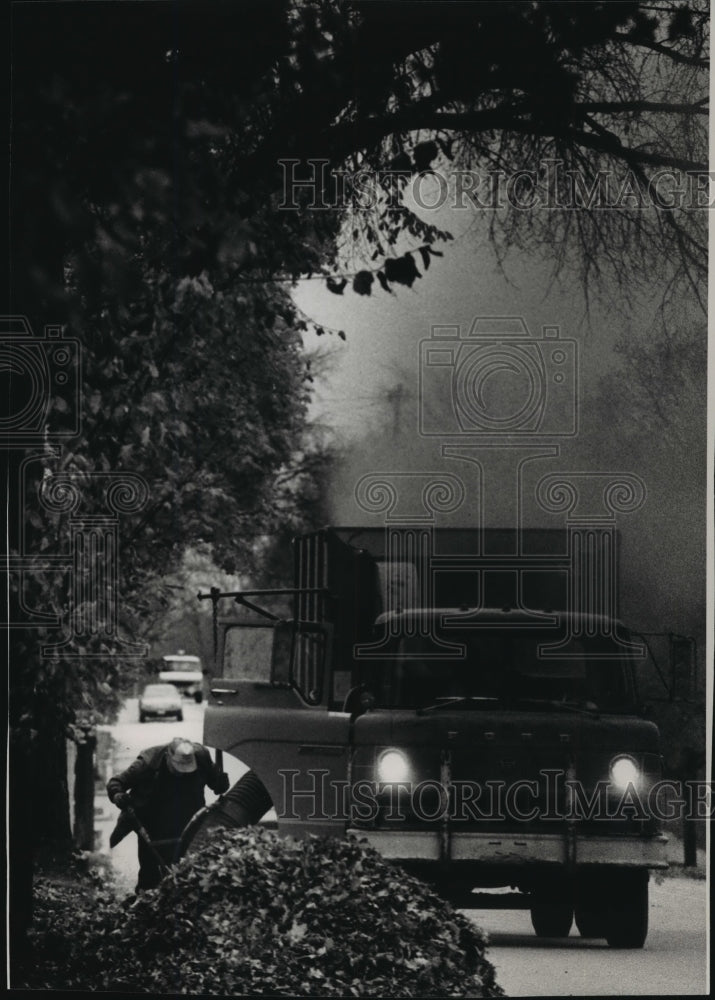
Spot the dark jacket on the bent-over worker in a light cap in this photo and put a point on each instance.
(163, 801)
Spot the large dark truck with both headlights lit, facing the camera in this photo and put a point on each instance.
(459, 700)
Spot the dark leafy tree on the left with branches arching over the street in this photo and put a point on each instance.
(148, 213)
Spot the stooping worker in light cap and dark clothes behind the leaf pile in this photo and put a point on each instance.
(163, 788)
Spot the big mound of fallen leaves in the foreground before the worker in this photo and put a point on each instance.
(255, 914)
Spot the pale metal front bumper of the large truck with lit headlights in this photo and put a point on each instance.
(517, 849)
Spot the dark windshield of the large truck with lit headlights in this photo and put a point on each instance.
(505, 666)
